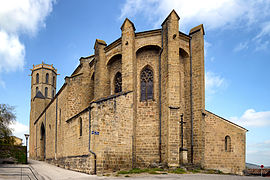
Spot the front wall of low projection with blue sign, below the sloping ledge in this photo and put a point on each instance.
(111, 123)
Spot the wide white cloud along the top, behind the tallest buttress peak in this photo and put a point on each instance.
(213, 14)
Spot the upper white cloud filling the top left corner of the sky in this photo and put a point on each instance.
(18, 16)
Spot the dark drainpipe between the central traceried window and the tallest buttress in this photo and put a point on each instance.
(159, 96)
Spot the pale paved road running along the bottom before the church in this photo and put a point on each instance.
(44, 171)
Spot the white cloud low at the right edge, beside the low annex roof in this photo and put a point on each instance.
(251, 118)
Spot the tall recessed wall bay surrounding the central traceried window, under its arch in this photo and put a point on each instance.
(147, 126)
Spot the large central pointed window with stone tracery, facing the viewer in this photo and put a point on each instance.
(147, 84)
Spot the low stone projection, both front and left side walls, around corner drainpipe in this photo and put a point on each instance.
(110, 133)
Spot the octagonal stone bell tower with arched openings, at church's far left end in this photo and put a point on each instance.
(43, 90)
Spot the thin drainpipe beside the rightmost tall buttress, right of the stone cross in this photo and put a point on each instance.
(191, 101)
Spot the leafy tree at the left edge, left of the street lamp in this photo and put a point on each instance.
(7, 116)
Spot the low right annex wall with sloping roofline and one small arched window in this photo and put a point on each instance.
(216, 157)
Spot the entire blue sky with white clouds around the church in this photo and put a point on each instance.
(237, 51)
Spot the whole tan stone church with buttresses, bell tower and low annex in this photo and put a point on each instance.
(136, 102)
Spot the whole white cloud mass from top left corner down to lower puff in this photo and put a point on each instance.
(19, 17)
